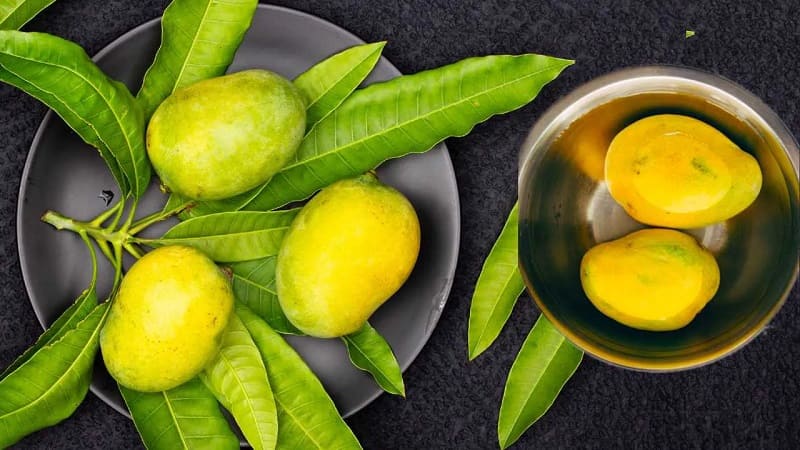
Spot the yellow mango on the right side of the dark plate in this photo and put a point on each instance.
(348, 251)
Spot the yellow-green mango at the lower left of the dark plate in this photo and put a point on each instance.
(167, 319)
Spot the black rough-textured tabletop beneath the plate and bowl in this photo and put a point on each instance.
(749, 400)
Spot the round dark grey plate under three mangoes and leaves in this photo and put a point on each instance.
(64, 174)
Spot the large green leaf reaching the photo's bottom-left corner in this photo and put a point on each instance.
(50, 384)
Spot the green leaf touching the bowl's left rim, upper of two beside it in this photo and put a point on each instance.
(499, 285)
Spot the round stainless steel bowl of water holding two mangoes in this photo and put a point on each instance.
(565, 209)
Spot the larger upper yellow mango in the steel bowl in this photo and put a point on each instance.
(675, 171)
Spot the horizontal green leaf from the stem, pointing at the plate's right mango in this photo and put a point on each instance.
(231, 237)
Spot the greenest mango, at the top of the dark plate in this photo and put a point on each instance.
(223, 136)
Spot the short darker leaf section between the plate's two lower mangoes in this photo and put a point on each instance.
(254, 286)
